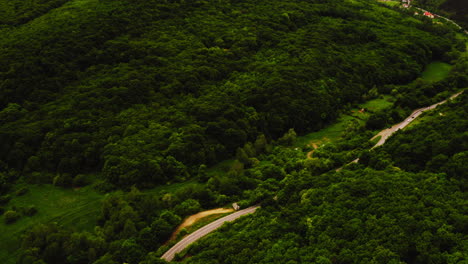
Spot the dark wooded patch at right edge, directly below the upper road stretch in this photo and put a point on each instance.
(438, 145)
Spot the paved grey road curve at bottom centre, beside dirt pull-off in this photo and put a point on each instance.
(181, 245)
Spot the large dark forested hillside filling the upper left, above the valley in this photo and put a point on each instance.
(143, 92)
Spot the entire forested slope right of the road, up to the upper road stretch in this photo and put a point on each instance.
(376, 214)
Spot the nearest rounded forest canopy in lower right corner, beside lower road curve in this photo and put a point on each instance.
(350, 217)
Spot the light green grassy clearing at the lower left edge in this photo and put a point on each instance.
(77, 209)
